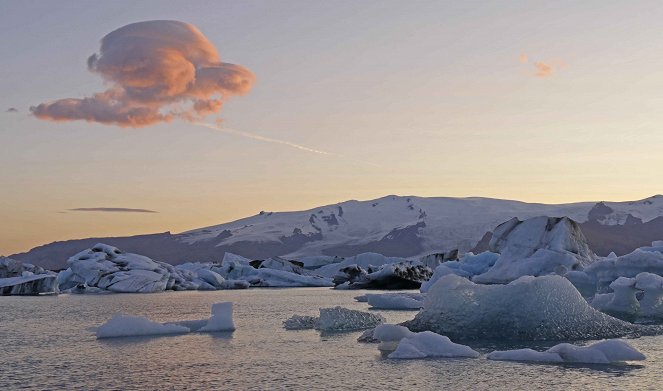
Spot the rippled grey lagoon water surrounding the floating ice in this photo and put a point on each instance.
(47, 343)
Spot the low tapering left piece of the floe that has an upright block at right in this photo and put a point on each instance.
(131, 326)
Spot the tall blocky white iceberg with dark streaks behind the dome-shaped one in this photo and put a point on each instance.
(535, 247)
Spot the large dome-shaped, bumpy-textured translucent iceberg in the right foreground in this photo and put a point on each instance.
(529, 308)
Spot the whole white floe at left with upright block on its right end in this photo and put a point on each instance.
(132, 326)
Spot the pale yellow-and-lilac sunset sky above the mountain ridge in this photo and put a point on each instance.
(537, 101)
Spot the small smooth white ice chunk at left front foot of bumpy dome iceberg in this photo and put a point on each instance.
(429, 344)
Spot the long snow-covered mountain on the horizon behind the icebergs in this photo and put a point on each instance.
(405, 226)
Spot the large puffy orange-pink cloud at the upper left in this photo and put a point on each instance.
(157, 71)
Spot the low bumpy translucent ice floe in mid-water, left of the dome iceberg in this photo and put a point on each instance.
(335, 319)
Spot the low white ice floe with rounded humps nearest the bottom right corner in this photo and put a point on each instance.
(604, 352)
